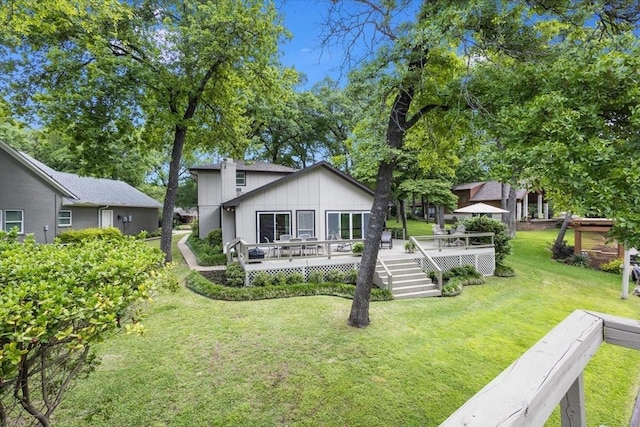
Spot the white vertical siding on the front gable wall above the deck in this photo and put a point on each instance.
(320, 191)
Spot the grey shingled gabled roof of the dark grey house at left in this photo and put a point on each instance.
(84, 191)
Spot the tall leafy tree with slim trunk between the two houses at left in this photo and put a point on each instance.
(180, 68)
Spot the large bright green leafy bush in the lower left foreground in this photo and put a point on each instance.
(59, 300)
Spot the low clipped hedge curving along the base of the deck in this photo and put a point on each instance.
(200, 285)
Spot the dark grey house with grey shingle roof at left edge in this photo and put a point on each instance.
(45, 202)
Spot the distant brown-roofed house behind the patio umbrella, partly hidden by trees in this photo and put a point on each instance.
(490, 192)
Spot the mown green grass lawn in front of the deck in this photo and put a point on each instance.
(296, 362)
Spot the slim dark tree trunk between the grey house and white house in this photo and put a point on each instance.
(172, 190)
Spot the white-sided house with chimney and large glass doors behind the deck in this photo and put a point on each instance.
(262, 201)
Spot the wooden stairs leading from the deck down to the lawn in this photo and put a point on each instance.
(409, 280)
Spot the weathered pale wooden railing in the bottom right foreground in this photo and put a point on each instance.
(548, 374)
